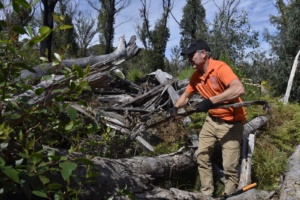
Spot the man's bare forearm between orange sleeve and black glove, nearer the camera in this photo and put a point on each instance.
(235, 89)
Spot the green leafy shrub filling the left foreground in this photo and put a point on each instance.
(25, 166)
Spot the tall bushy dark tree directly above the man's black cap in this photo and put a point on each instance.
(193, 23)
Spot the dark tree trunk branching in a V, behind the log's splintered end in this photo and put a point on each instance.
(106, 20)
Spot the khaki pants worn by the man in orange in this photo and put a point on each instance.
(229, 135)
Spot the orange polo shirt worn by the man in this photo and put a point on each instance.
(216, 81)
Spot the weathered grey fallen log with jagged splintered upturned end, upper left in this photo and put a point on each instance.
(99, 74)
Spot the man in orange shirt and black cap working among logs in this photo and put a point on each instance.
(216, 83)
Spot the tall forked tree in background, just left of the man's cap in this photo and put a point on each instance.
(155, 41)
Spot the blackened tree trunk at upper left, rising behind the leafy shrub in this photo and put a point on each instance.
(49, 6)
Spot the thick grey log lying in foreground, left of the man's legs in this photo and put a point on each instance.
(136, 174)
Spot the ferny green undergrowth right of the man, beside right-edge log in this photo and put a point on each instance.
(275, 144)
